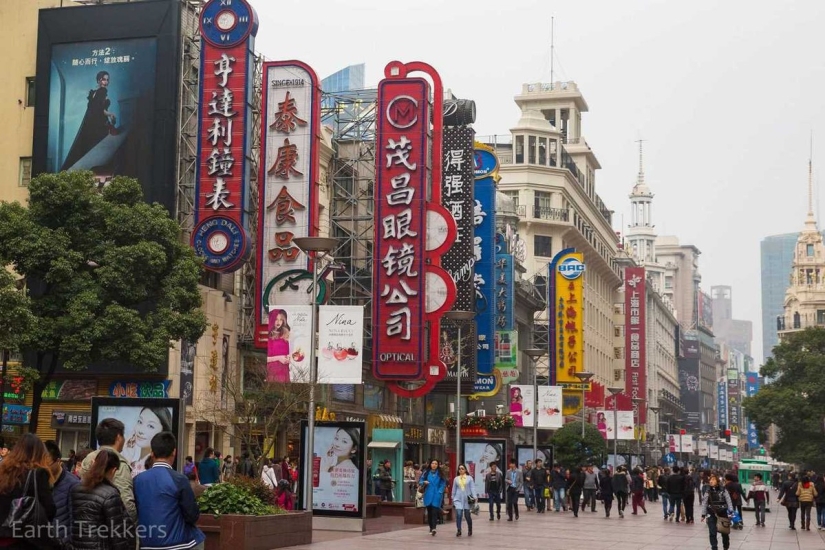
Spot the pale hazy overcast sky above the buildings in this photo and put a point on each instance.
(725, 95)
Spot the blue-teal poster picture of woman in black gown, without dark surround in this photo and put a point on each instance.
(101, 107)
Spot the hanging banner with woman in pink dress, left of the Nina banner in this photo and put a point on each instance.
(290, 336)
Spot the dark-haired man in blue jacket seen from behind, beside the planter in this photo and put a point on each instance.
(167, 511)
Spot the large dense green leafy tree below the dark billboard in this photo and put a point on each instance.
(108, 276)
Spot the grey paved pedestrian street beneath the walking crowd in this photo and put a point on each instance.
(590, 531)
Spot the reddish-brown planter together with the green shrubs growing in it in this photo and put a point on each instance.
(238, 515)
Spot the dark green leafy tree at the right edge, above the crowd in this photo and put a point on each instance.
(794, 399)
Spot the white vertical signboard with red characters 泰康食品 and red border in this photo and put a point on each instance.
(287, 190)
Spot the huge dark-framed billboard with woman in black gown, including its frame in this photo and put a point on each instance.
(107, 81)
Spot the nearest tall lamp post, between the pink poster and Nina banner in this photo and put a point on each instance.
(317, 248)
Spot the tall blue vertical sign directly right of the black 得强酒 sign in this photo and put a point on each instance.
(484, 245)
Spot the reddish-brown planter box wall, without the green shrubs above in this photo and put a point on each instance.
(231, 532)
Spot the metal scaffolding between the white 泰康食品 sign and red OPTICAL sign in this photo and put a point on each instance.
(351, 115)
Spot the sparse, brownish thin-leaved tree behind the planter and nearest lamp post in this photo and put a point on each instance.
(251, 409)
